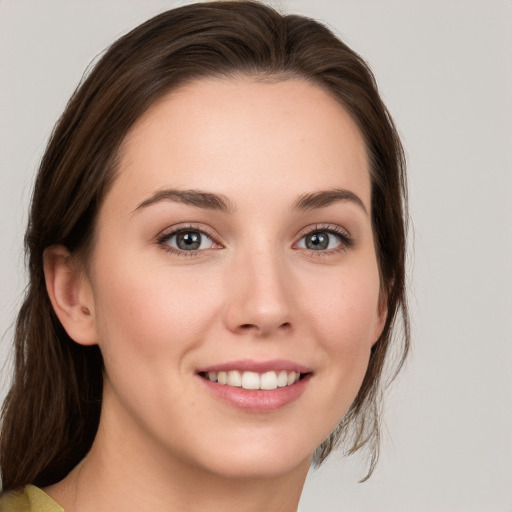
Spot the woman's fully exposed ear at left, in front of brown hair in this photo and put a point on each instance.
(70, 294)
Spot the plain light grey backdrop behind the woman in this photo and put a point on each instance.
(444, 68)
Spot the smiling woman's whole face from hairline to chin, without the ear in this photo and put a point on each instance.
(234, 282)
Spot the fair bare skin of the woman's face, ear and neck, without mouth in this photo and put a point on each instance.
(256, 292)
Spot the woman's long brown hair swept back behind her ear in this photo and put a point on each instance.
(51, 413)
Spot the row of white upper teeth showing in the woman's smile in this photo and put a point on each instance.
(253, 380)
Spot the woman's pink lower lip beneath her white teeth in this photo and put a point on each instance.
(257, 400)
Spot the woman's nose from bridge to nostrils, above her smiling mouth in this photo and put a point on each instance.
(258, 296)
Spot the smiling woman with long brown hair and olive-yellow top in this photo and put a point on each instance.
(216, 248)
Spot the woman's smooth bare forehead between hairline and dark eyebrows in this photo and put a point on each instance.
(244, 136)
